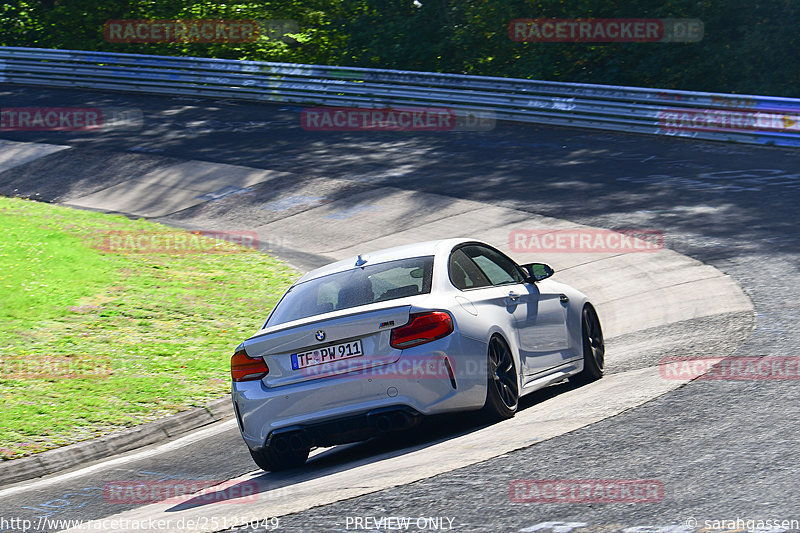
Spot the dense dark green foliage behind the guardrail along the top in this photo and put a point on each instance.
(749, 47)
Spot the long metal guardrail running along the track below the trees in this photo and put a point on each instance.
(726, 117)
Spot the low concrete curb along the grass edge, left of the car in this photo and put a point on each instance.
(66, 457)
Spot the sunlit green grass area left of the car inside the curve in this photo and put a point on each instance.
(93, 340)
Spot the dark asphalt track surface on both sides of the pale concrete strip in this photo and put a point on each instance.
(722, 450)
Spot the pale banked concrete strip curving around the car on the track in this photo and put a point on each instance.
(651, 304)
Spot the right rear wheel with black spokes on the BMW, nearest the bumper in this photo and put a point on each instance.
(502, 393)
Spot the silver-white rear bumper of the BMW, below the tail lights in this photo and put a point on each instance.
(419, 383)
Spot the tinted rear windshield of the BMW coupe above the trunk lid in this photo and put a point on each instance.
(359, 286)
